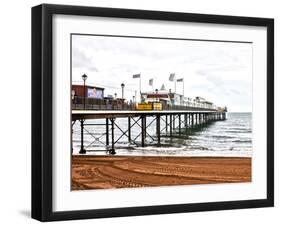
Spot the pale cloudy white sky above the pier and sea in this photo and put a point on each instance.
(220, 72)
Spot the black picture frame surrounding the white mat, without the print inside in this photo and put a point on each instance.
(42, 111)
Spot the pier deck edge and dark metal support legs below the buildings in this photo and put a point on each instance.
(173, 124)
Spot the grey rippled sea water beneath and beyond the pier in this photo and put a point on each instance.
(228, 138)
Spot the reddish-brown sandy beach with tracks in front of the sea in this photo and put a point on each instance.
(100, 172)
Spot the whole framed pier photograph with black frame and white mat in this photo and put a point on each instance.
(145, 112)
